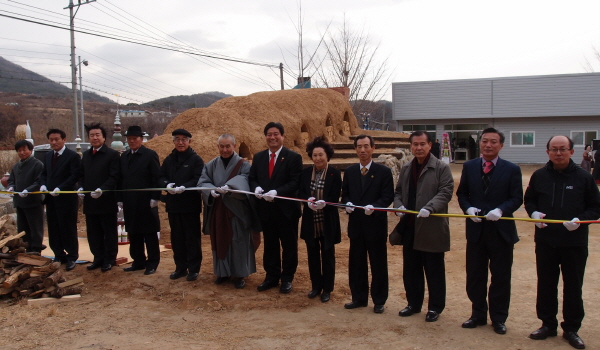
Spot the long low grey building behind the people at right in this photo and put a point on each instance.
(528, 110)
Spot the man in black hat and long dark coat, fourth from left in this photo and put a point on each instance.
(140, 168)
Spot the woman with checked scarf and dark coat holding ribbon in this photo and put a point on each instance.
(320, 228)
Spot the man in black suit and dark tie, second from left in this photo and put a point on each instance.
(61, 172)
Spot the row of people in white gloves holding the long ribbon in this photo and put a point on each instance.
(490, 187)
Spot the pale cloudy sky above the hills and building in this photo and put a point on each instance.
(422, 39)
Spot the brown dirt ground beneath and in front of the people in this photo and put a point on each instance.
(120, 310)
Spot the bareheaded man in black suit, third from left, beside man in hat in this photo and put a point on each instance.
(100, 172)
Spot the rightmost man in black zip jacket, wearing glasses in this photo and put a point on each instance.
(561, 191)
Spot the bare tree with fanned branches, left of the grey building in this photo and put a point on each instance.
(352, 62)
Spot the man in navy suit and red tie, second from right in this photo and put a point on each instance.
(490, 186)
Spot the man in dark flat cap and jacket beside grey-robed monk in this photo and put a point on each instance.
(181, 169)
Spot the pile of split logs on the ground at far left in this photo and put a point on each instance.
(27, 274)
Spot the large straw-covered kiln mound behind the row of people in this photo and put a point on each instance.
(305, 114)
